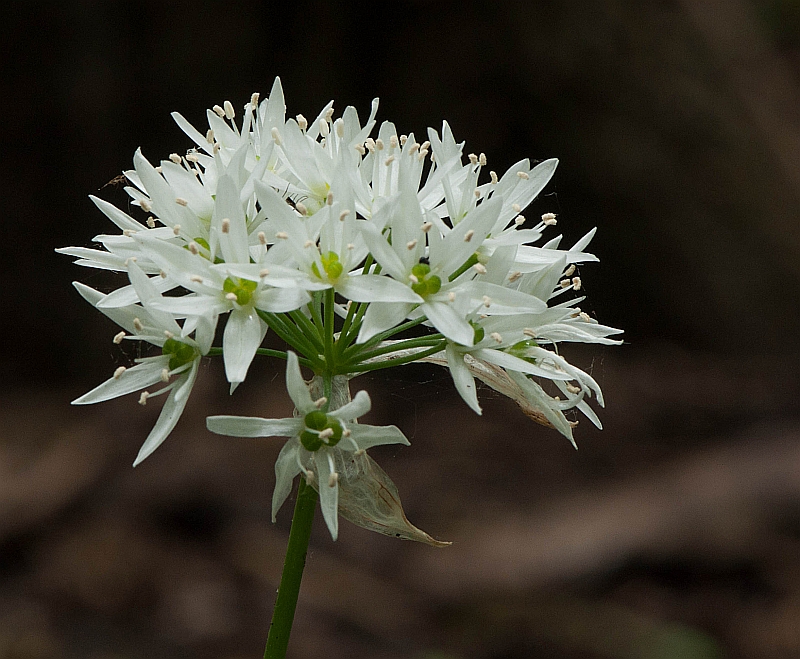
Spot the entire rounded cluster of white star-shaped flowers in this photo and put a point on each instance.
(360, 253)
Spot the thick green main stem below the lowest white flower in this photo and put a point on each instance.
(289, 589)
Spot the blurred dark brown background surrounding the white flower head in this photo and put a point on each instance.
(674, 533)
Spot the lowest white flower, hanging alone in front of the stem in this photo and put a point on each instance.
(316, 437)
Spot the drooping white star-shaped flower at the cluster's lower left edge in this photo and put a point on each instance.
(176, 367)
